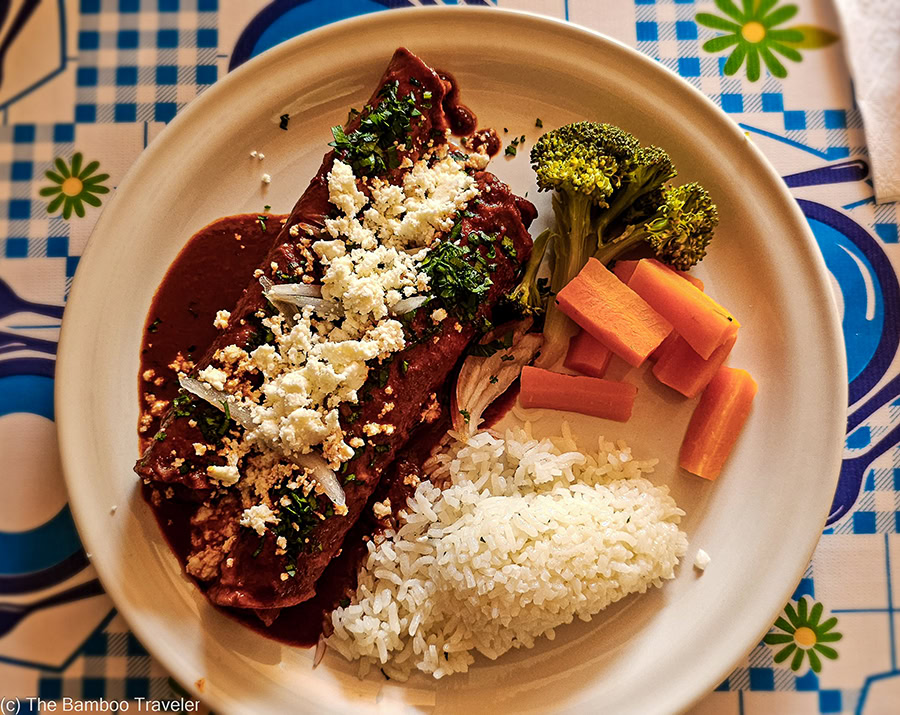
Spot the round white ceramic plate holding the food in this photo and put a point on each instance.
(759, 521)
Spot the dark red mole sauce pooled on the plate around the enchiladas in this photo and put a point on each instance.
(180, 319)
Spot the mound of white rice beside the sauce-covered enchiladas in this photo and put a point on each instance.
(526, 535)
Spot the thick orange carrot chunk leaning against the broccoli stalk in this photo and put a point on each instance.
(613, 313)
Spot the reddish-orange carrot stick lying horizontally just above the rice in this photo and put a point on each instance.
(586, 395)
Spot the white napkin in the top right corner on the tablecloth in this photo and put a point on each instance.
(871, 31)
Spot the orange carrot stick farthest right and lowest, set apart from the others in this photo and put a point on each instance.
(717, 421)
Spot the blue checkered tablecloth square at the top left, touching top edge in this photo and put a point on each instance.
(142, 60)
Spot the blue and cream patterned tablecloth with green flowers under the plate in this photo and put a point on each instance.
(89, 83)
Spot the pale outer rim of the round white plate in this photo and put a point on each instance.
(68, 416)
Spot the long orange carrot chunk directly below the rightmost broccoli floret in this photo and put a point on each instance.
(696, 317)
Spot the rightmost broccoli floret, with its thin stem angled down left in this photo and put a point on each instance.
(678, 231)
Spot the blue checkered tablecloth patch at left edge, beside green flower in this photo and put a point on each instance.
(26, 229)
